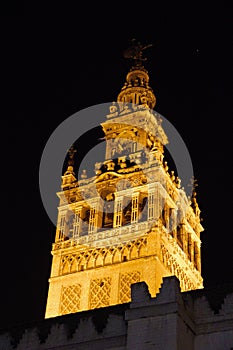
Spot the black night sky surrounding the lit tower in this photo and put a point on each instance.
(53, 66)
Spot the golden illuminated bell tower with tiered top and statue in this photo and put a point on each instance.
(138, 224)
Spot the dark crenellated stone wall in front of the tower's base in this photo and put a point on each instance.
(189, 316)
